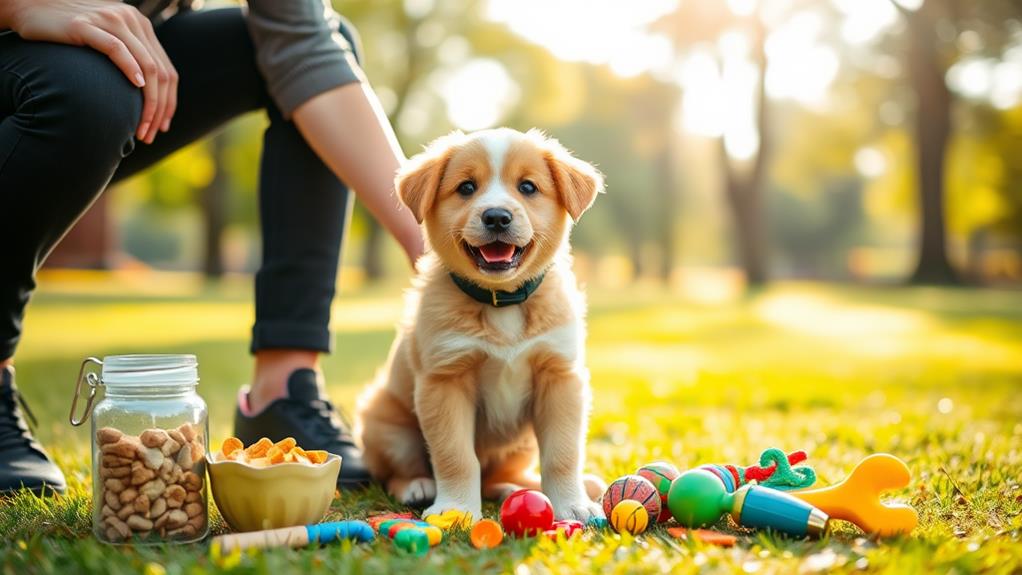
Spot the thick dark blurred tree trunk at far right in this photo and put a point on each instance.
(934, 126)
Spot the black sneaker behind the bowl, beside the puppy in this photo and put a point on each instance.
(311, 420)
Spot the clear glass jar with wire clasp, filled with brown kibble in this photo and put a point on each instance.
(150, 440)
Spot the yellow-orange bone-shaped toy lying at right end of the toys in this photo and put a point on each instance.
(858, 498)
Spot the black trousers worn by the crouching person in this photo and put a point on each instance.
(67, 122)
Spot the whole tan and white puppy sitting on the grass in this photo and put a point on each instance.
(488, 370)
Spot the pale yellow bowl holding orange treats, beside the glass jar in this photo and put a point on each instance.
(252, 499)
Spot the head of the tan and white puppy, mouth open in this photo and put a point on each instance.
(497, 205)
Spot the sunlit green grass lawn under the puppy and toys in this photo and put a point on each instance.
(841, 372)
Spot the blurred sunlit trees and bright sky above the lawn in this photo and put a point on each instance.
(872, 141)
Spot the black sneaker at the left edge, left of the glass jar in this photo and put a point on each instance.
(24, 463)
